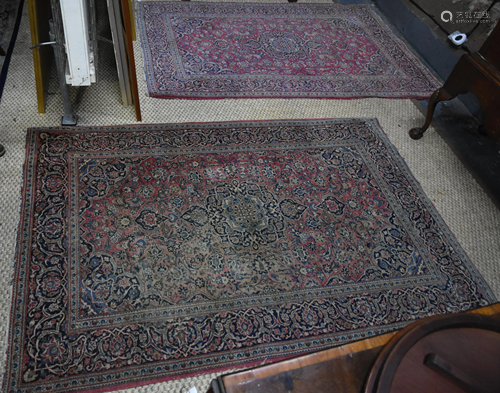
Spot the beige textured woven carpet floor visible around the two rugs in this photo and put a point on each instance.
(465, 207)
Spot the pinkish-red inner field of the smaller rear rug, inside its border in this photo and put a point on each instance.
(279, 46)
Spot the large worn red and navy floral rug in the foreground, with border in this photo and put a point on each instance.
(153, 252)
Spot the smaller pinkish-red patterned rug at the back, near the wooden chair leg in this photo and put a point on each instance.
(256, 50)
